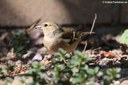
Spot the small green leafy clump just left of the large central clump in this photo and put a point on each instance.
(38, 73)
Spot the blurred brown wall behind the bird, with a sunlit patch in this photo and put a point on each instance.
(111, 18)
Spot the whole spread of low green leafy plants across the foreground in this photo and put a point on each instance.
(69, 69)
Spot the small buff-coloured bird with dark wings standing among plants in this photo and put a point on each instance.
(56, 37)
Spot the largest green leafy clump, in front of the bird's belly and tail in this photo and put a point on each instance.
(68, 69)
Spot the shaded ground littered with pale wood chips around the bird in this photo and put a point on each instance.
(18, 50)
